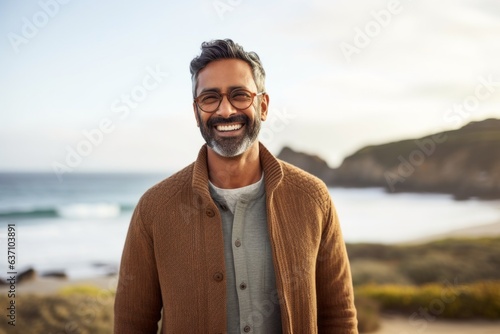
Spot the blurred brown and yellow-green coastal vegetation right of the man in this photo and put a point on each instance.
(446, 279)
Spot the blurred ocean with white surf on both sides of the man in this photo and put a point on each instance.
(78, 226)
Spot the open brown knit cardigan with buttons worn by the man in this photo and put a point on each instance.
(174, 256)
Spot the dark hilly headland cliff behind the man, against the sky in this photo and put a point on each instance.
(463, 162)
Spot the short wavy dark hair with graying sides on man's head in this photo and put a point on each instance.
(226, 49)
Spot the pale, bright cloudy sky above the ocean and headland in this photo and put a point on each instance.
(90, 86)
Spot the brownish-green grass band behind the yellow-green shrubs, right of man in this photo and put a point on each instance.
(465, 260)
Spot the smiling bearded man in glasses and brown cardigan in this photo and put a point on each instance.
(239, 241)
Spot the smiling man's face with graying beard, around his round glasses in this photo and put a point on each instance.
(229, 131)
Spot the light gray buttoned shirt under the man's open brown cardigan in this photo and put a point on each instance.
(252, 300)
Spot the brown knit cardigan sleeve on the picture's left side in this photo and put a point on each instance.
(138, 299)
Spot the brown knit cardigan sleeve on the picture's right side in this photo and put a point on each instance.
(335, 297)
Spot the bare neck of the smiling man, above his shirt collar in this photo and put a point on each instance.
(234, 172)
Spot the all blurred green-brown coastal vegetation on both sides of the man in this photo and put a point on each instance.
(444, 279)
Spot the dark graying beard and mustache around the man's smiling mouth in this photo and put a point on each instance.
(230, 146)
